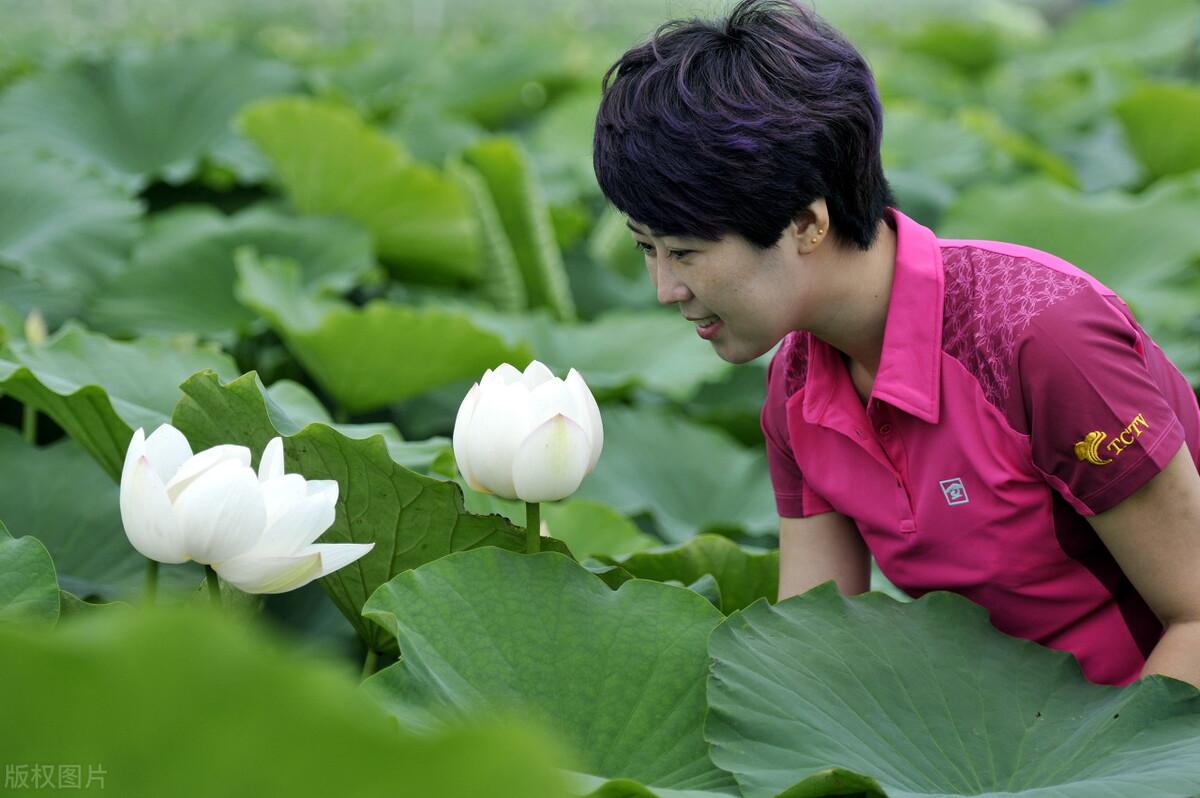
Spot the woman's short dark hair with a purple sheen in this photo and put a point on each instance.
(739, 124)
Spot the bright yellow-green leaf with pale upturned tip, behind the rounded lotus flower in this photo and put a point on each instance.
(371, 357)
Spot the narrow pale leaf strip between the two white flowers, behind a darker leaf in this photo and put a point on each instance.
(293, 407)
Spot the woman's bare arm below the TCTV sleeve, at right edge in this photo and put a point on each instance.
(1155, 537)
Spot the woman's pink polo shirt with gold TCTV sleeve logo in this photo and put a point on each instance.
(1016, 395)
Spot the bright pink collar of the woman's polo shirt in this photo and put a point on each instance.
(910, 371)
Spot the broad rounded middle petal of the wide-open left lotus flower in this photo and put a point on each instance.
(221, 513)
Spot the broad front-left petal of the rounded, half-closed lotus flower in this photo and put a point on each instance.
(494, 436)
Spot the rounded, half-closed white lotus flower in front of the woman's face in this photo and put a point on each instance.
(529, 436)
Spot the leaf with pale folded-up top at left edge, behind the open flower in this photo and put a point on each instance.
(100, 391)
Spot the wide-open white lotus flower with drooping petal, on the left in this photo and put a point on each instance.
(256, 531)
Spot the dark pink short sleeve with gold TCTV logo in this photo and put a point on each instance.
(1100, 424)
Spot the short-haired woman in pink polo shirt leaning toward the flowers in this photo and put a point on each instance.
(981, 417)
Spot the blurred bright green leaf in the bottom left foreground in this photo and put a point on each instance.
(119, 693)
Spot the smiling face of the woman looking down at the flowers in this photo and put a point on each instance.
(759, 296)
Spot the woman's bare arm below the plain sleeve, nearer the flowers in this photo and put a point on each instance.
(820, 549)
